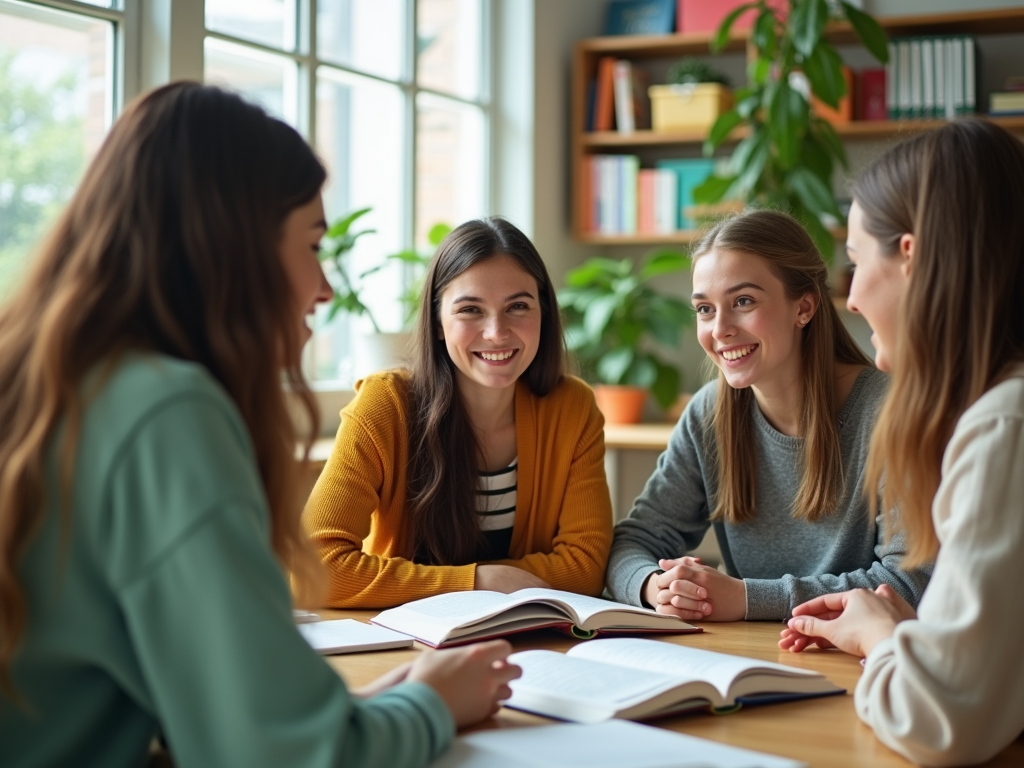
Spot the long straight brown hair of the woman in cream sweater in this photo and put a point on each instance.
(960, 191)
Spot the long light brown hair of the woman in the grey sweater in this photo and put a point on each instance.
(793, 258)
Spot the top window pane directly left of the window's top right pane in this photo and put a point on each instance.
(365, 35)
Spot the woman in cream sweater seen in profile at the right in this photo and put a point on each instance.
(937, 236)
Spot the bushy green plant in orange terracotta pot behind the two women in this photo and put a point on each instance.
(614, 319)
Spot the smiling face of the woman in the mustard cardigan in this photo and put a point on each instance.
(491, 323)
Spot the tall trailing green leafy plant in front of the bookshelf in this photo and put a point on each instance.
(788, 158)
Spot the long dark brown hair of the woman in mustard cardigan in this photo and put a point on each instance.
(443, 526)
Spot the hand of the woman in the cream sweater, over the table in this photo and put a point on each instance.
(855, 622)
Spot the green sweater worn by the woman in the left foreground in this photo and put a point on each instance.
(167, 611)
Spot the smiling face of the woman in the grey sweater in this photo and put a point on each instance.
(748, 326)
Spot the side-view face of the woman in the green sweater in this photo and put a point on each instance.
(300, 250)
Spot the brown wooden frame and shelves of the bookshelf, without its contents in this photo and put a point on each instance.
(588, 52)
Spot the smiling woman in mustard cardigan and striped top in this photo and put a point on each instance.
(484, 466)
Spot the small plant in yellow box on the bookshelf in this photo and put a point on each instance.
(695, 96)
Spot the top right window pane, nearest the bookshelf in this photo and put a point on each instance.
(448, 42)
